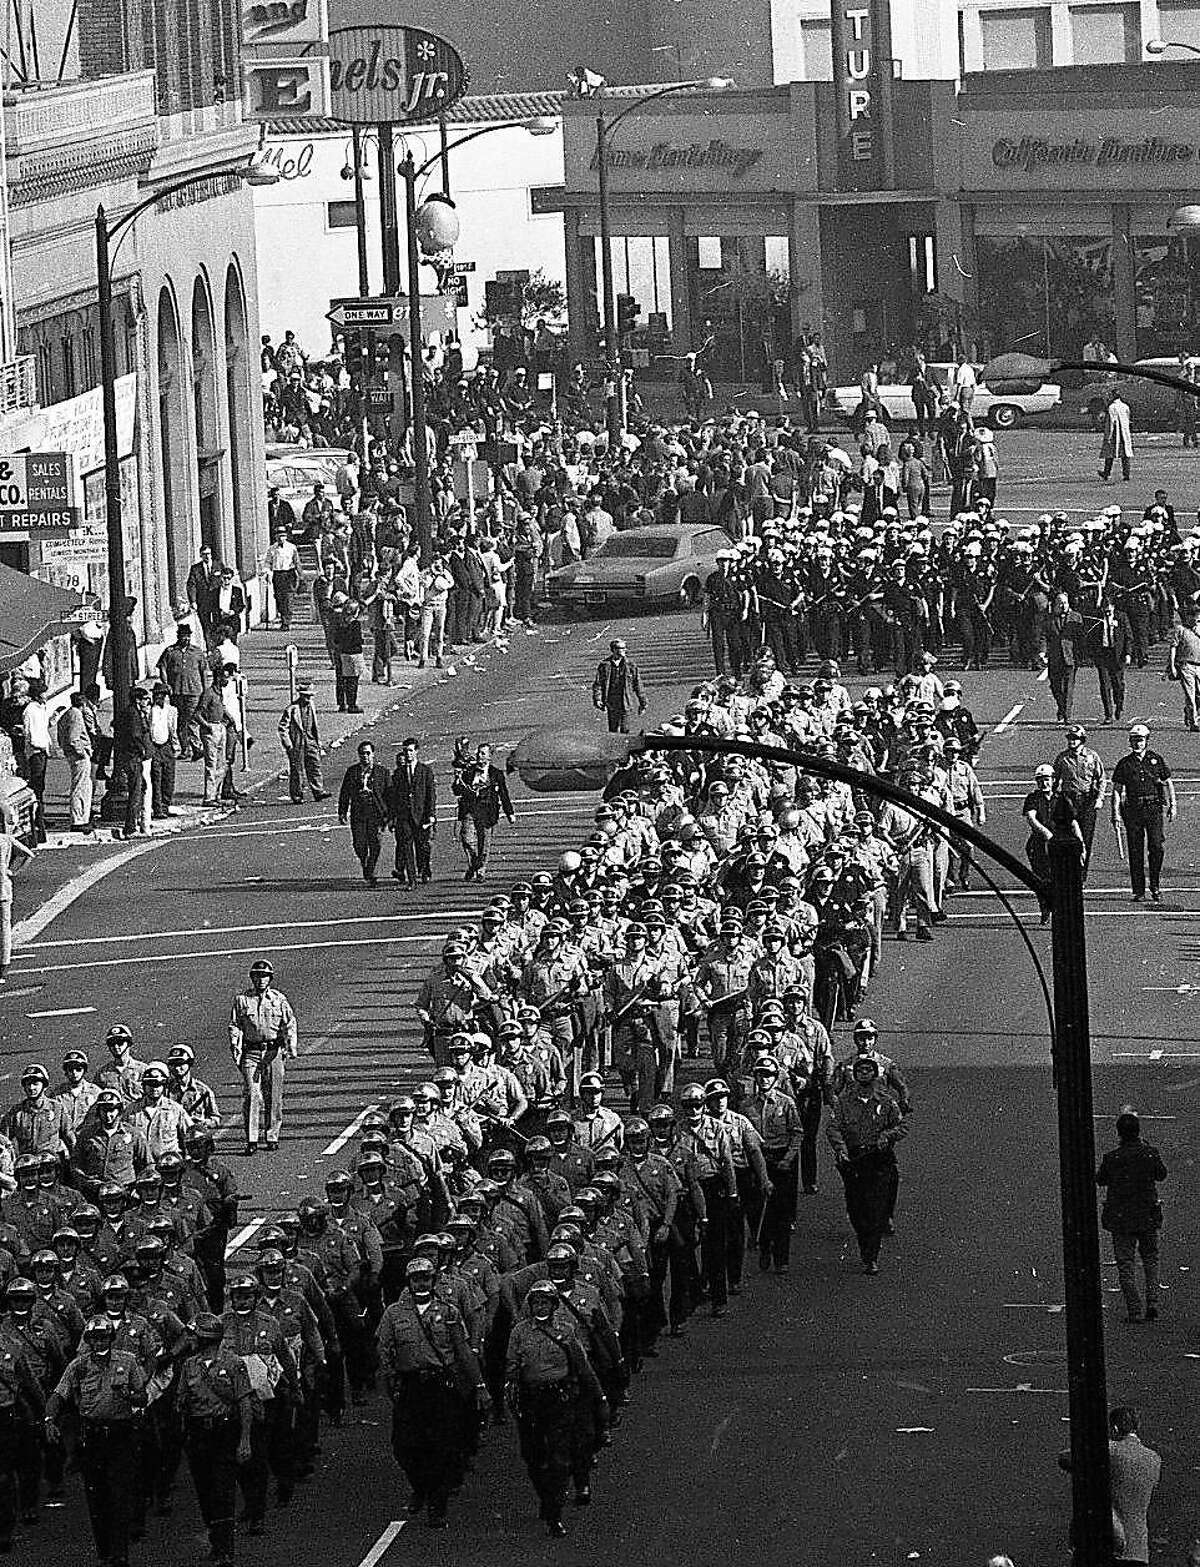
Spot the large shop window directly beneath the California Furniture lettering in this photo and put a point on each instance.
(1044, 295)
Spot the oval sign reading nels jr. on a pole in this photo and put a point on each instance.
(392, 76)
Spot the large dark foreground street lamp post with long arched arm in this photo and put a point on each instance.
(555, 759)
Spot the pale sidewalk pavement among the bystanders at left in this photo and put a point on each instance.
(264, 664)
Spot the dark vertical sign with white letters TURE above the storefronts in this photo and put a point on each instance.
(862, 82)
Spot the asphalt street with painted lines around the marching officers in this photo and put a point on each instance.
(830, 1419)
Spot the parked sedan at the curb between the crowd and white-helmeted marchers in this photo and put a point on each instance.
(654, 566)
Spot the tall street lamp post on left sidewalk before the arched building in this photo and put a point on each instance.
(120, 631)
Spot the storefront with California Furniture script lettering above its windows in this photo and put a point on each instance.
(1068, 184)
